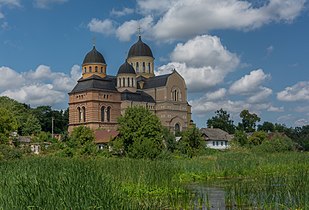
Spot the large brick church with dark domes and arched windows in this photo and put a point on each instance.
(98, 98)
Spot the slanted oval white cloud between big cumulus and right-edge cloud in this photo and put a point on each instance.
(249, 83)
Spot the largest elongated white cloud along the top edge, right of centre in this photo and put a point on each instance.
(185, 18)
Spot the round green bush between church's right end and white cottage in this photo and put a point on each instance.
(191, 142)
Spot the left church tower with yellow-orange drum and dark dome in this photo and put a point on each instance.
(94, 64)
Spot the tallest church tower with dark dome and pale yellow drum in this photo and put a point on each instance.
(141, 58)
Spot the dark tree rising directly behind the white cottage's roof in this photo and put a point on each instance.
(222, 120)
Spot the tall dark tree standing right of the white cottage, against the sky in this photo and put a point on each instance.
(248, 121)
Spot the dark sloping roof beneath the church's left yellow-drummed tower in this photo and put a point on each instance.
(95, 82)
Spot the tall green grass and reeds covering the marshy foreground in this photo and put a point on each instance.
(250, 180)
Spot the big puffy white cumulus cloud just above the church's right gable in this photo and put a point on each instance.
(202, 61)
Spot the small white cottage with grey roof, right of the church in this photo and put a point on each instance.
(216, 138)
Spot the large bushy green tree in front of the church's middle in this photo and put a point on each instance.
(140, 132)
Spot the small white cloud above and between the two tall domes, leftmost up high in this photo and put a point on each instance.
(101, 26)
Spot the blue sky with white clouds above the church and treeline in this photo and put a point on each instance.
(233, 54)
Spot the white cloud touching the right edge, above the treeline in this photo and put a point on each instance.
(297, 92)
